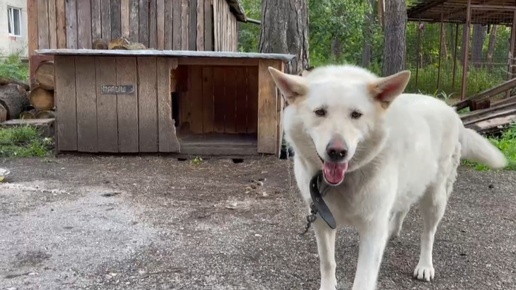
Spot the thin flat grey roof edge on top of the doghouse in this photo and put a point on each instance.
(171, 53)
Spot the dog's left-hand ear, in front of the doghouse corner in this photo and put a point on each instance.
(291, 86)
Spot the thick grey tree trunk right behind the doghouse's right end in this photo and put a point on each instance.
(284, 29)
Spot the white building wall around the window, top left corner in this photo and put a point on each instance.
(13, 44)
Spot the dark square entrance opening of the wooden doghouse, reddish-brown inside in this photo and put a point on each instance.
(216, 108)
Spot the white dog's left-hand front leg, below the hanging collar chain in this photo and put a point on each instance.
(326, 248)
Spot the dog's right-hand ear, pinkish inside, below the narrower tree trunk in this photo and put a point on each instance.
(386, 89)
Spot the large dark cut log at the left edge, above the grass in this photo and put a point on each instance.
(14, 99)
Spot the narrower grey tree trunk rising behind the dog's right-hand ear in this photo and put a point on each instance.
(394, 34)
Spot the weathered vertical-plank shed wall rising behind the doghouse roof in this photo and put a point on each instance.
(204, 25)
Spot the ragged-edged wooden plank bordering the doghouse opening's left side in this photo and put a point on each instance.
(167, 134)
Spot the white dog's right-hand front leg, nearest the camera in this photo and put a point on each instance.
(373, 238)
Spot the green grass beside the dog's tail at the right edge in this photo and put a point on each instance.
(507, 144)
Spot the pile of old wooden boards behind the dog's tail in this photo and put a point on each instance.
(486, 116)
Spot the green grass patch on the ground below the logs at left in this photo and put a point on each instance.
(24, 141)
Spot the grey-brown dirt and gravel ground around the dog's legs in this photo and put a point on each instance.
(160, 223)
